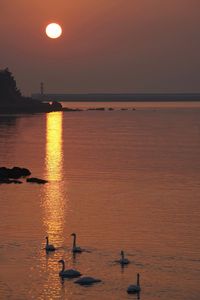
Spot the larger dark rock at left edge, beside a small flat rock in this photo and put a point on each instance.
(15, 172)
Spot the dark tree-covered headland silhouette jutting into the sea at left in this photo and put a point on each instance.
(12, 101)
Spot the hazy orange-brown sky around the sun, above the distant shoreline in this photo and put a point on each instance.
(106, 46)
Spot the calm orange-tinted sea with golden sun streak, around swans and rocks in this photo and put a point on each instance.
(122, 180)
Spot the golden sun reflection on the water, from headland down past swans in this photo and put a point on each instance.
(54, 203)
